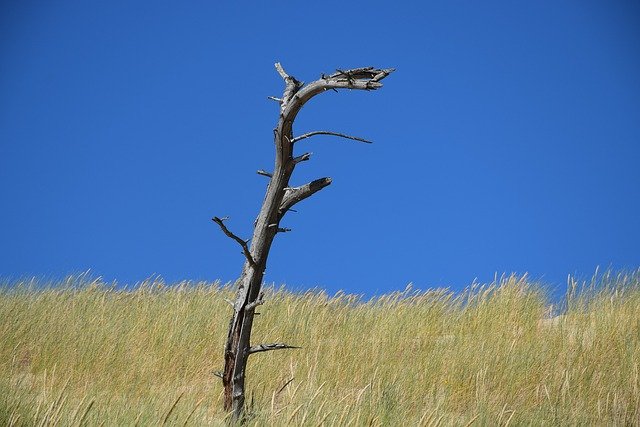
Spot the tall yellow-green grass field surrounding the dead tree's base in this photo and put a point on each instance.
(82, 352)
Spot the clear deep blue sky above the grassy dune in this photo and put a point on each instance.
(508, 140)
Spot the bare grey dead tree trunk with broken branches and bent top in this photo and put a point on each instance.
(280, 198)
